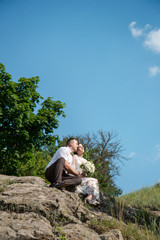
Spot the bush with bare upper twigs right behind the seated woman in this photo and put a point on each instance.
(105, 150)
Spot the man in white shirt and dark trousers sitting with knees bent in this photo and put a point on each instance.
(55, 171)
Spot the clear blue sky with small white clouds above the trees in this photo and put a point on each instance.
(102, 58)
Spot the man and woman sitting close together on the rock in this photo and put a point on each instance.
(65, 170)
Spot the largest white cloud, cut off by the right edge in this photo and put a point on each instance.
(152, 40)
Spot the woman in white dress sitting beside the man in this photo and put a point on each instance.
(89, 186)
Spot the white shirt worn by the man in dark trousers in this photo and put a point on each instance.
(63, 152)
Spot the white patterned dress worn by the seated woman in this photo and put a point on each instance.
(89, 185)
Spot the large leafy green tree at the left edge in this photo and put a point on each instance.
(22, 131)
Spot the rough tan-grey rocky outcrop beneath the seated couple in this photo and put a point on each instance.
(29, 210)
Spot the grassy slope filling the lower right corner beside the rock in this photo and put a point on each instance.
(136, 215)
